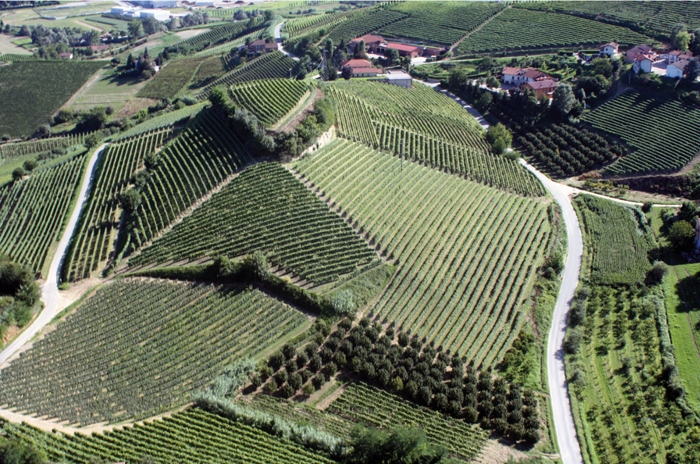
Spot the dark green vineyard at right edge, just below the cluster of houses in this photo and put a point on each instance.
(670, 137)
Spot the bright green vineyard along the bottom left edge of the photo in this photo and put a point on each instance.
(191, 436)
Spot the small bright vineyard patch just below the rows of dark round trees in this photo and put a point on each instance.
(376, 408)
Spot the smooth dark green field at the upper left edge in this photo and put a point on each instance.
(31, 91)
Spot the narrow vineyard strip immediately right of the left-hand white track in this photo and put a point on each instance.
(99, 219)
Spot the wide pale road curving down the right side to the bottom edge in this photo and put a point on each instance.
(569, 447)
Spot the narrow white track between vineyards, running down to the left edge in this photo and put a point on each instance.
(49, 291)
